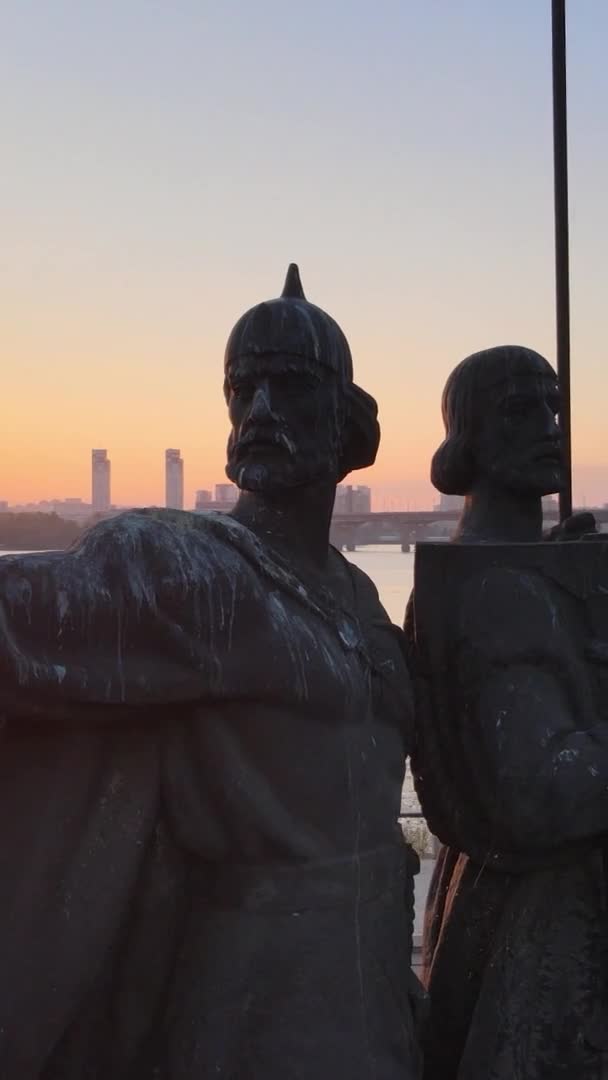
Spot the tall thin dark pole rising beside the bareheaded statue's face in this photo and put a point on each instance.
(562, 259)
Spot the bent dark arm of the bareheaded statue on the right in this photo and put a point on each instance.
(531, 720)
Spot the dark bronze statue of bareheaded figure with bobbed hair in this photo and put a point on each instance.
(512, 760)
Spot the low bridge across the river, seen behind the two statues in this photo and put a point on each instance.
(409, 528)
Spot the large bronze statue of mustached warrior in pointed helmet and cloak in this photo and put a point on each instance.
(207, 725)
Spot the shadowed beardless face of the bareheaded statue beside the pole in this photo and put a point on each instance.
(519, 444)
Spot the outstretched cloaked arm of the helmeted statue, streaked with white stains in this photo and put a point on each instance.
(115, 622)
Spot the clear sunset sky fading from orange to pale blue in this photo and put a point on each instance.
(164, 164)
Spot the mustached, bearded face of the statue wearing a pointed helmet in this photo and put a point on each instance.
(285, 416)
